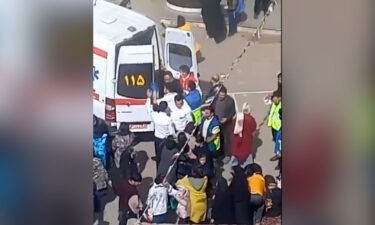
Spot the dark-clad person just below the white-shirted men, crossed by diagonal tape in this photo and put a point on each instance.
(166, 160)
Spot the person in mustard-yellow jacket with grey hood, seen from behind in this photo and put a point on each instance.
(196, 183)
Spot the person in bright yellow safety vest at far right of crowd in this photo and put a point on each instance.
(274, 120)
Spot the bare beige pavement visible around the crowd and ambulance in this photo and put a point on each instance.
(251, 80)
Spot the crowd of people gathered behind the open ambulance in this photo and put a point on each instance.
(193, 139)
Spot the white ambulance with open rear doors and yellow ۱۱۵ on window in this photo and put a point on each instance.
(128, 56)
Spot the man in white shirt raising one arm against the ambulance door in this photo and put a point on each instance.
(162, 122)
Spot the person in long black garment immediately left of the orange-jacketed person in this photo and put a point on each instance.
(240, 196)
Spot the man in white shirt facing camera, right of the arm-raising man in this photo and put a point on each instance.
(180, 113)
